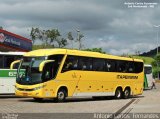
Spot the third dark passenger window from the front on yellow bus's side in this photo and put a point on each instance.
(98, 64)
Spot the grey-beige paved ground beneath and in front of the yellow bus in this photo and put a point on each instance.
(12, 107)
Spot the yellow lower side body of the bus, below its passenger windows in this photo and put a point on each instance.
(89, 83)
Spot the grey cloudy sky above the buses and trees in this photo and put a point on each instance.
(108, 24)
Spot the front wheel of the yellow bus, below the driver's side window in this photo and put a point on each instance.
(61, 95)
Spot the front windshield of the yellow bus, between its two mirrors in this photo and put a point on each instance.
(28, 71)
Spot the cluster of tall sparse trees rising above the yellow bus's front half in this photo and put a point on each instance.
(53, 37)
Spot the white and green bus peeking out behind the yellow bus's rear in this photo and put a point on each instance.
(148, 76)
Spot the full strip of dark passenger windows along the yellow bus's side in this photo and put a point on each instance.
(97, 64)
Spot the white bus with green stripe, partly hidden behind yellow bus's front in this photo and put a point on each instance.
(7, 76)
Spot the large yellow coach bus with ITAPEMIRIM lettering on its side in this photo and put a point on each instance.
(61, 73)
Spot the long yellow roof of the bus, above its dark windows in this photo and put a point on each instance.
(47, 52)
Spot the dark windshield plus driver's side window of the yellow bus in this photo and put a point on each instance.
(28, 71)
